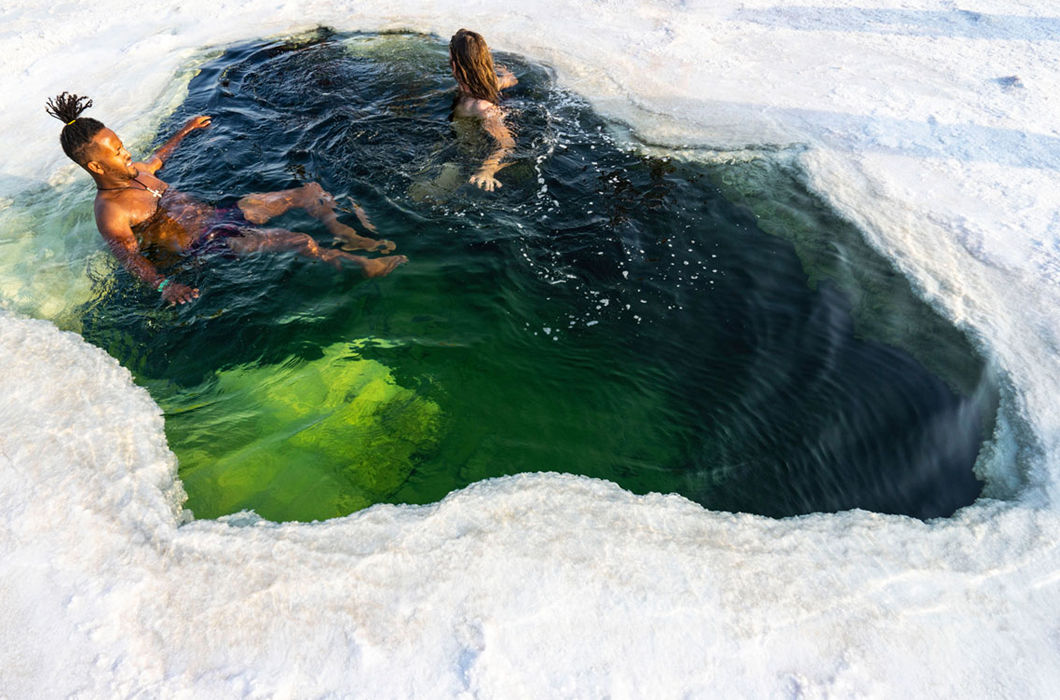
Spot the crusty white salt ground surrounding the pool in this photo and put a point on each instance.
(903, 114)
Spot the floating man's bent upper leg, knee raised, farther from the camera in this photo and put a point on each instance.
(321, 205)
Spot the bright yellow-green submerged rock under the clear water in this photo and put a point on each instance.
(354, 431)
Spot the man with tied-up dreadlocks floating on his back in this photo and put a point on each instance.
(137, 213)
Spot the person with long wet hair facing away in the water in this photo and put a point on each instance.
(479, 98)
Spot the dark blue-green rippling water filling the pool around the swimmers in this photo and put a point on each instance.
(605, 313)
